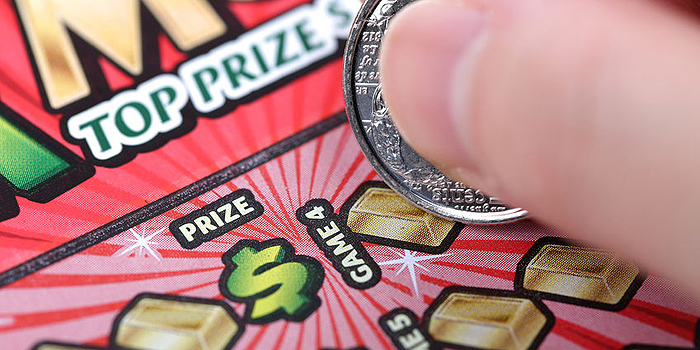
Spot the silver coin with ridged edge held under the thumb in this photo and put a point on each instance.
(394, 160)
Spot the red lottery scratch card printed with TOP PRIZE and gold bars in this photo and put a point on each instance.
(181, 175)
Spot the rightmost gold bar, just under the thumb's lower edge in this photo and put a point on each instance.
(579, 273)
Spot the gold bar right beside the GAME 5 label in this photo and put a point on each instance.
(484, 321)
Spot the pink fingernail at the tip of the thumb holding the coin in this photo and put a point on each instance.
(425, 46)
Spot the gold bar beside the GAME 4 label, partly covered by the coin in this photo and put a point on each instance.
(383, 213)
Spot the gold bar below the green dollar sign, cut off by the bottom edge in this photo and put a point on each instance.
(175, 325)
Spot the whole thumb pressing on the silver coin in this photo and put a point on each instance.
(584, 112)
